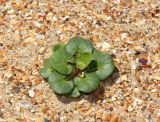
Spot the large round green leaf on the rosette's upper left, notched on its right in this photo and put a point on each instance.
(60, 61)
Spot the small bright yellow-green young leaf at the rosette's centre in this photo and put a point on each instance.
(83, 60)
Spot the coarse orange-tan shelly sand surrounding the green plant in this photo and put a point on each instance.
(127, 29)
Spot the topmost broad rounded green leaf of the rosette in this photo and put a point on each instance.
(78, 44)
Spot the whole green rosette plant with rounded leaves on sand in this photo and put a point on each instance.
(76, 67)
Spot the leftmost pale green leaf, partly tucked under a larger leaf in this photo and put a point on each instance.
(47, 69)
